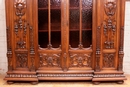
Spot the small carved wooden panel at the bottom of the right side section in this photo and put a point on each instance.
(108, 60)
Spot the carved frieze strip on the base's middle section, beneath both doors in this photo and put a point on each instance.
(65, 75)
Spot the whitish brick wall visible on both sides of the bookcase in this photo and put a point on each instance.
(3, 58)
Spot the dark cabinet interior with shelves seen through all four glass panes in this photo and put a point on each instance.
(74, 23)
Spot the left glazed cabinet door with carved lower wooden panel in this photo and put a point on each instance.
(50, 35)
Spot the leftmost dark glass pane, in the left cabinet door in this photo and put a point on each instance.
(43, 23)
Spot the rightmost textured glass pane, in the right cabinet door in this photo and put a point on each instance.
(87, 23)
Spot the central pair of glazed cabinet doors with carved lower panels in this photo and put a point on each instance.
(65, 35)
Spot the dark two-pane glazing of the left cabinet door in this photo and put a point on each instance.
(55, 24)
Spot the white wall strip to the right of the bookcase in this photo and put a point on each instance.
(127, 39)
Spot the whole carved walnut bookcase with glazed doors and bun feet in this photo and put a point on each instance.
(65, 40)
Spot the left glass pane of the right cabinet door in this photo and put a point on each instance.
(74, 23)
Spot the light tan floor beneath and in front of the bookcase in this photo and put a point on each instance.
(65, 84)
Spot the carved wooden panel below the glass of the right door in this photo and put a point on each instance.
(80, 60)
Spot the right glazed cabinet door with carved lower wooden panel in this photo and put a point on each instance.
(80, 35)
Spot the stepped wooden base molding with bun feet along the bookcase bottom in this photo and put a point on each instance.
(34, 77)
